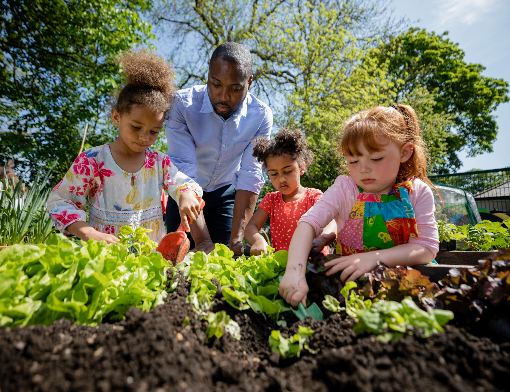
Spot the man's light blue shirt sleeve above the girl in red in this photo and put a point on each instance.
(249, 177)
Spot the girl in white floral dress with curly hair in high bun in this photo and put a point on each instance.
(123, 180)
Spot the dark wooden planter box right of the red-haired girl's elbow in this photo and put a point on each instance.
(448, 260)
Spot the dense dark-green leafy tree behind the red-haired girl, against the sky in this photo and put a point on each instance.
(417, 59)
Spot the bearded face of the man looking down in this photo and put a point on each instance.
(227, 87)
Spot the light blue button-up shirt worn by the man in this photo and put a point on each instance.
(211, 150)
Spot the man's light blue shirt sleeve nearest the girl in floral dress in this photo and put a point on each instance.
(181, 145)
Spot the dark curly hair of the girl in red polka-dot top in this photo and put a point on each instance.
(286, 142)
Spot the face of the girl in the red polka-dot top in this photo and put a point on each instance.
(285, 173)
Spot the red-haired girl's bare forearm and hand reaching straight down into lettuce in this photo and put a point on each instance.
(293, 287)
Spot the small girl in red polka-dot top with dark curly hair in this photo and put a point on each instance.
(285, 160)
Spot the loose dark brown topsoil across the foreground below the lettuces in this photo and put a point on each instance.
(155, 352)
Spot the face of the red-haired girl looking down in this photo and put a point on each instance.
(376, 172)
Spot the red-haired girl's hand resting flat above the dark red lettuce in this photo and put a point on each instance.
(353, 266)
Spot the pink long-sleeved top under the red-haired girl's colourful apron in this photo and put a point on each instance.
(338, 200)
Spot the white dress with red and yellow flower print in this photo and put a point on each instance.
(117, 198)
